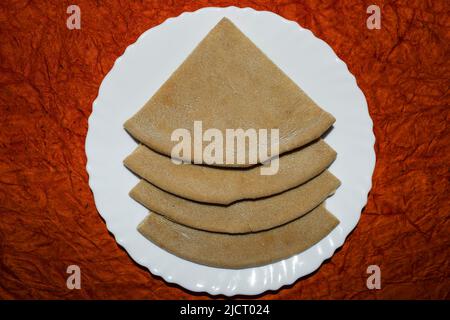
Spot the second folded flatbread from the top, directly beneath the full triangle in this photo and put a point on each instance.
(223, 185)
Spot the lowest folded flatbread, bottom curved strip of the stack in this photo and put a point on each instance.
(239, 251)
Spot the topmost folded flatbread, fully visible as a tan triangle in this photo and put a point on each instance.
(228, 83)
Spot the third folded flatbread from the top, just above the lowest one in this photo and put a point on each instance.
(242, 216)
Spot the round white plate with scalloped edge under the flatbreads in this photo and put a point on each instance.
(142, 69)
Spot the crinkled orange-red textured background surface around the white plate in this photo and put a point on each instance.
(49, 77)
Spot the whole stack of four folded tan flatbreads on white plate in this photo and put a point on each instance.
(232, 216)
